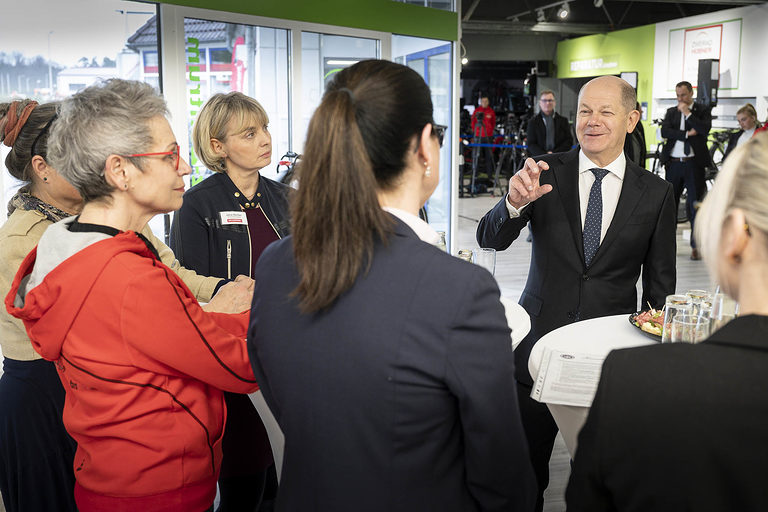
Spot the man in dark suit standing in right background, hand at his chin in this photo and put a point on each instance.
(685, 153)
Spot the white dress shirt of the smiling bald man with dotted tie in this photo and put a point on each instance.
(611, 188)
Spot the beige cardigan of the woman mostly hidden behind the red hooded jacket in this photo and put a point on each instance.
(20, 234)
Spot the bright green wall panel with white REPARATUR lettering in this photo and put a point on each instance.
(610, 54)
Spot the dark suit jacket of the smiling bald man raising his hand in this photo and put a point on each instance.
(561, 289)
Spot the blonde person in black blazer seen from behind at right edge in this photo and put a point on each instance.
(682, 427)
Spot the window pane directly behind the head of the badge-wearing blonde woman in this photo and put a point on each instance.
(224, 57)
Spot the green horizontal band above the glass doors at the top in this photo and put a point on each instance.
(381, 15)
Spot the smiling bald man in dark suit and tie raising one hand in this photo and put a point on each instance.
(597, 220)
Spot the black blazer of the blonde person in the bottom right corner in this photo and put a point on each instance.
(678, 427)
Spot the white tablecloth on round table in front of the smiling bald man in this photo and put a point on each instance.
(596, 337)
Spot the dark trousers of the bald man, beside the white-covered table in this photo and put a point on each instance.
(540, 431)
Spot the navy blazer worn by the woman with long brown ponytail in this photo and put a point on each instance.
(401, 396)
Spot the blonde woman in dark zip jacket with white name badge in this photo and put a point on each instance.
(225, 223)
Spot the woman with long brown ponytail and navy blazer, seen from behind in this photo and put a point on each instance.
(386, 362)
